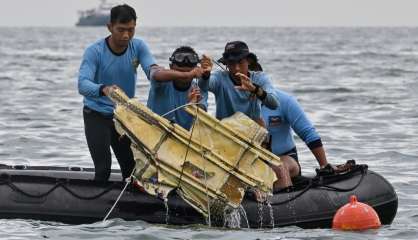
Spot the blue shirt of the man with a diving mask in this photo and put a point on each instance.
(164, 97)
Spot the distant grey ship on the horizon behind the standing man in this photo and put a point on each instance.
(99, 16)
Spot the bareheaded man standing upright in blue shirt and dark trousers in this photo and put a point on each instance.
(111, 62)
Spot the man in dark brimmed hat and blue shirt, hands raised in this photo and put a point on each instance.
(238, 89)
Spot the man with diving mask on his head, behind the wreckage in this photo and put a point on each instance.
(170, 91)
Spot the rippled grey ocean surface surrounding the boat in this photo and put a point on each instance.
(358, 85)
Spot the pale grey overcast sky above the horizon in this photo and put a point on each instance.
(223, 12)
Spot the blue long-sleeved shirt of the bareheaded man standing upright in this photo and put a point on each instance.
(100, 66)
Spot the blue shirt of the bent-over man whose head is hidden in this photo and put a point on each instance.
(280, 122)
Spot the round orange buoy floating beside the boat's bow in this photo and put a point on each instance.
(355, 216)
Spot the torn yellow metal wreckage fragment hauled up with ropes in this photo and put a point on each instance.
(215, 161)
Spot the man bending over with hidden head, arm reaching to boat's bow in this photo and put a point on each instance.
(280, 122)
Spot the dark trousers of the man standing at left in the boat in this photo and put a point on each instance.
(101, 135)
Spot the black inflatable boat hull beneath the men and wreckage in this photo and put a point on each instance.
(69, 195)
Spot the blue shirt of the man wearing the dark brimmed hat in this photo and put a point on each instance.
(230, 100)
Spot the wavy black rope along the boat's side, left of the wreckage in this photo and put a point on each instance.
(57, 185)
